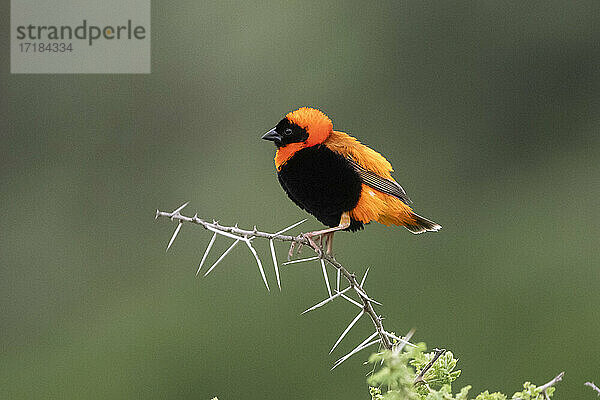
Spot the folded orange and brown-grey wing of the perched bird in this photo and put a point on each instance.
(374, 170)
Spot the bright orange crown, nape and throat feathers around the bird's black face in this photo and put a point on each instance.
(314, 122)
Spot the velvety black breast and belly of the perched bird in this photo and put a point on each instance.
(323, 183)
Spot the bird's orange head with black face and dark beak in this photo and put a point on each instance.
(299, 129)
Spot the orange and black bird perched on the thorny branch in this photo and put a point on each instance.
(339, 180)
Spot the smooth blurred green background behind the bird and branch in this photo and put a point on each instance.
(489, 111)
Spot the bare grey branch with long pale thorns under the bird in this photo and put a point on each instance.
(386, 339)
